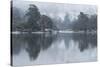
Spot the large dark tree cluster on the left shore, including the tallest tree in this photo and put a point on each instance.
(33, 20)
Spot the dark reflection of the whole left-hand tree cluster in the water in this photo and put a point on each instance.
(32, 43)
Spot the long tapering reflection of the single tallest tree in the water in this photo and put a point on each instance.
(33, 46)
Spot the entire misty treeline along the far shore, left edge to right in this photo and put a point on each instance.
(33, 20)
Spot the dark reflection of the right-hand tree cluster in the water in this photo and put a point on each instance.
(85, 40)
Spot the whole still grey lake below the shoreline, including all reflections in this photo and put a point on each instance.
(48, 48)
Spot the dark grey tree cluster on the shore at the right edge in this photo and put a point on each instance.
(85, 22)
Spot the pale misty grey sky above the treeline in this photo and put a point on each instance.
(57, 9)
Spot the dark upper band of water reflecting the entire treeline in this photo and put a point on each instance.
(33, 44)
